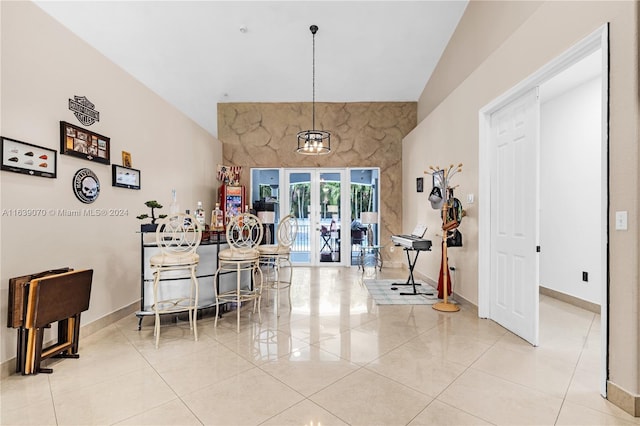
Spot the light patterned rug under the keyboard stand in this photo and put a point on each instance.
(381, 291)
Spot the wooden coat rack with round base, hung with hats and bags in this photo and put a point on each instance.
(447, 225)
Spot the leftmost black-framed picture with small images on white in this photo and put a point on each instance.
(29, 159)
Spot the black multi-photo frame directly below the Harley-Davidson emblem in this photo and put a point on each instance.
(83, 143)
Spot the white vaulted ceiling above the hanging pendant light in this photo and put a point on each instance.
(194, 54)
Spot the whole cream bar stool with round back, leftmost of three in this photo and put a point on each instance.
(177, 237)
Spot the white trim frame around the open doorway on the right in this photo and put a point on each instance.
(597, 41)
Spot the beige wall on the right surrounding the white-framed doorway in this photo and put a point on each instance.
(449, 134)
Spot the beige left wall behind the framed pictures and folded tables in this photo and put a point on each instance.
(43, 65)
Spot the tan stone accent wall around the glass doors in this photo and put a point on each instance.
(363, 134)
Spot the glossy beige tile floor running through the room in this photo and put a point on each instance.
(334, 359)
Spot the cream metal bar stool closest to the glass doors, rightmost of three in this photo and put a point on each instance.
(277, 255)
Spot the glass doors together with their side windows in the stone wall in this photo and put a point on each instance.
(328, 204)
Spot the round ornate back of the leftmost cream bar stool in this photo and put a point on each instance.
(178, 234)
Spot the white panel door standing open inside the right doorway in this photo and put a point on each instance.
(514, 221)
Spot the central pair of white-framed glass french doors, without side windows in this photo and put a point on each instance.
(319, 199)
